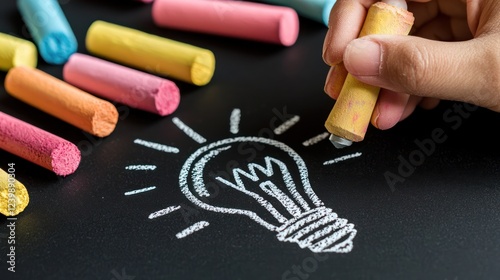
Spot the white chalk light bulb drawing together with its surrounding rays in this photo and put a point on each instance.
(289, 207)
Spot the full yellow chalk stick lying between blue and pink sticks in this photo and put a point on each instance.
(151, 53)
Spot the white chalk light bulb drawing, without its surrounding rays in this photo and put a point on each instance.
(273, 191)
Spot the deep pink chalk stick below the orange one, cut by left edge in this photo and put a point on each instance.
(38, 146)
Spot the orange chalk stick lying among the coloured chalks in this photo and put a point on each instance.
(62, 100)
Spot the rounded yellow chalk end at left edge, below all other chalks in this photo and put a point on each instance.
(13, 194)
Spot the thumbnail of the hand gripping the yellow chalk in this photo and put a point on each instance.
(362, 57)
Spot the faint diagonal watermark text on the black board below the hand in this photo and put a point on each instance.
(424, 148)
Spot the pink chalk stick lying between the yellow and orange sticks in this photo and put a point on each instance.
(122, 84)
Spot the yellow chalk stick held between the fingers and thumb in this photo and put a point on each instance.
(351, 114)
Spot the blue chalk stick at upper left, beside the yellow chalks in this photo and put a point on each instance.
(50, 29)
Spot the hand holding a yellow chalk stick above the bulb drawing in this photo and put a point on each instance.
(453, 54)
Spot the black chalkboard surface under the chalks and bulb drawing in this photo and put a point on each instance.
(240, 183)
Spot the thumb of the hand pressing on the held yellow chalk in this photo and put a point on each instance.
(461, 71)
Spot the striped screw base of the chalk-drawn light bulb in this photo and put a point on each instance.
(319, 230)
